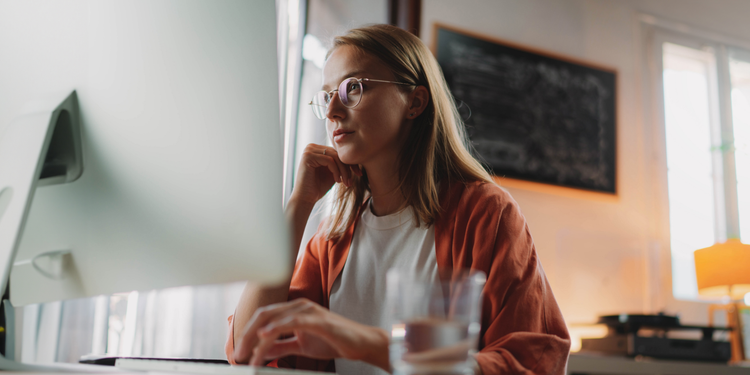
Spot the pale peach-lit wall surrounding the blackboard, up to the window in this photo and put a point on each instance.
(601, 257)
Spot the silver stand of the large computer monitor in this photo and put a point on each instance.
(41, 147)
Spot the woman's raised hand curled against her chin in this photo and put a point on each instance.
(319, 168)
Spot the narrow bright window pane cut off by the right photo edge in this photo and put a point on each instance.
(740, 74)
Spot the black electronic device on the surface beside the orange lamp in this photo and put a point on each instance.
(627, 336)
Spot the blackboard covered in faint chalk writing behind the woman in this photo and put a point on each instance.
(534, 116)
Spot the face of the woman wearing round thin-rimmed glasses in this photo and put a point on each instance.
(375, 129)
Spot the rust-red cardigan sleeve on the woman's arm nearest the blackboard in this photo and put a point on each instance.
(523, 331)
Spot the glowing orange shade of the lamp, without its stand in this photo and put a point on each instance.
(723, 269)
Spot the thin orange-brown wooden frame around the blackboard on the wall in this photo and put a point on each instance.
(547, 187)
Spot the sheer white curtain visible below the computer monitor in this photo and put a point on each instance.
(175, 322)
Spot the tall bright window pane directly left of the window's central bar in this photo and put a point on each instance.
(689, 161)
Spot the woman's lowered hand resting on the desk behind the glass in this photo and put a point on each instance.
(317, 333)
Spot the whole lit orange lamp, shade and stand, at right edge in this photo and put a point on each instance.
(724, 270)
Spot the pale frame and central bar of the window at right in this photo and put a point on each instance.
(654, 33)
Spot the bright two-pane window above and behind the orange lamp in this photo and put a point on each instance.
(706, 107)
